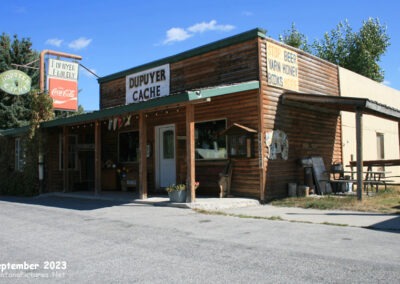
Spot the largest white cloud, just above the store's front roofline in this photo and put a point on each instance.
(181, 34)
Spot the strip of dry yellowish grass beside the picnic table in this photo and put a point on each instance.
(384, 202)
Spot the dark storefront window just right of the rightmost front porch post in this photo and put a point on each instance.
(209, 144)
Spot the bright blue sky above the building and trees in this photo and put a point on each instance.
(112, 36)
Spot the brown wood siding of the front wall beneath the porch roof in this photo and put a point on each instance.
(235, 108)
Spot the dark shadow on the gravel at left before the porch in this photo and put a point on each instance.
(63, 202)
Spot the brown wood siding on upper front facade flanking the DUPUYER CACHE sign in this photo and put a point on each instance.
(229, 65)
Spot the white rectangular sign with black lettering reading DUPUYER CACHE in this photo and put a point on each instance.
(147, 85)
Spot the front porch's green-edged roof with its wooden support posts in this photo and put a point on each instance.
(146, 116)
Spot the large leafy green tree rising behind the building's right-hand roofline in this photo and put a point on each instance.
(357, 51)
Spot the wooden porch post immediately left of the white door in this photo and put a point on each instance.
(142, 157)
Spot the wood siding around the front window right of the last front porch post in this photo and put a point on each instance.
(235, 108)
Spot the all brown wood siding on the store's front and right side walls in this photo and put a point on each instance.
(310, 131)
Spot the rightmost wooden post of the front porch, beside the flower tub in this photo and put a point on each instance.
(190, 158)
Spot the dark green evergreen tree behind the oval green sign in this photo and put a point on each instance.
(15, 110)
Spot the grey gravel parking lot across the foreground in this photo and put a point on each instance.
(73, 240)
